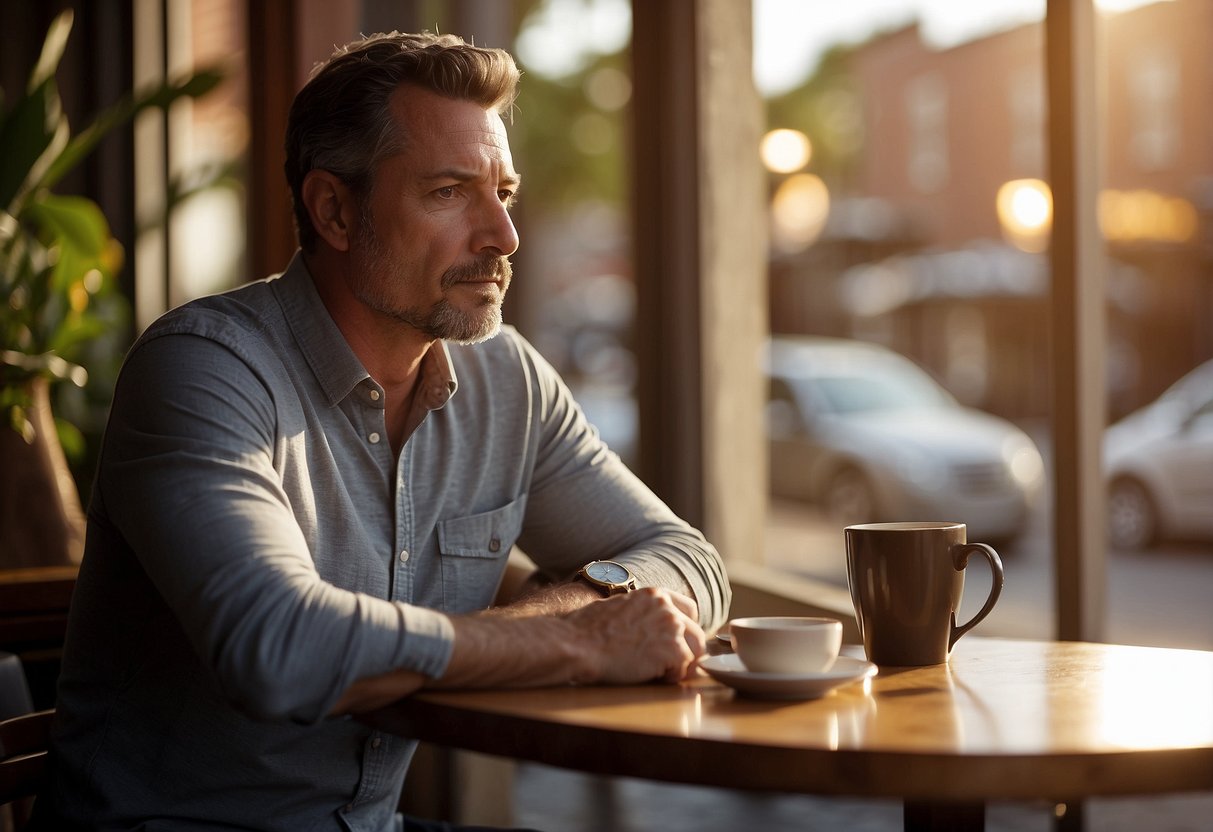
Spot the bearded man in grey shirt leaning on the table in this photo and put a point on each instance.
(310, 488)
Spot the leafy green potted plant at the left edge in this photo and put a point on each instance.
(59, 264)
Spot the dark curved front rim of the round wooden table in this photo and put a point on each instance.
(834, 772)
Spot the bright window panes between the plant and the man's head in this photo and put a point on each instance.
(190, 162)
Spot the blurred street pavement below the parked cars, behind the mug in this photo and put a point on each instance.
(1161, 597)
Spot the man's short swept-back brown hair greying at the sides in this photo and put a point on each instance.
(340, 122)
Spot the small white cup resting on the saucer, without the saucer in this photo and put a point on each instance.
(787, 643)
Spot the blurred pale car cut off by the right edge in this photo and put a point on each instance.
(1159, 464)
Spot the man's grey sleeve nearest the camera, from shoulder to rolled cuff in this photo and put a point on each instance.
(190, 483)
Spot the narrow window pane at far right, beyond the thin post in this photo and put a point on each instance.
(1155, 209)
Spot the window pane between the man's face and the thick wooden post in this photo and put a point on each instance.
(577, 295)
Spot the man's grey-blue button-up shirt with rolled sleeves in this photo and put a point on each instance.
(255, 548)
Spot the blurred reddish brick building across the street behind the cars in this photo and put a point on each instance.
(938, 224)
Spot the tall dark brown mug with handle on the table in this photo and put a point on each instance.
(907, 582)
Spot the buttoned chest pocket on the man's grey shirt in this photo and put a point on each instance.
(474, 555)
